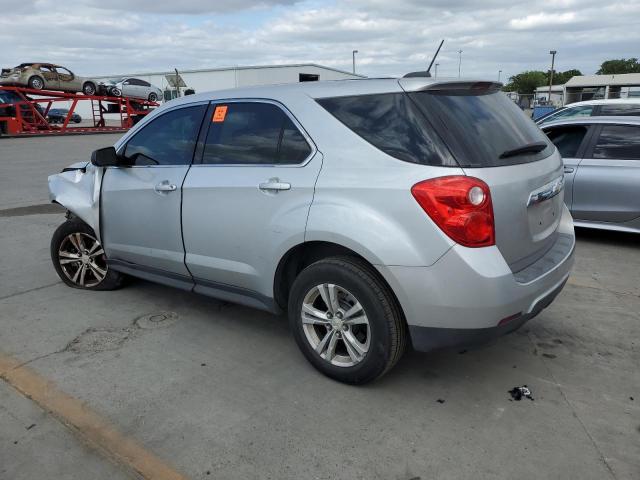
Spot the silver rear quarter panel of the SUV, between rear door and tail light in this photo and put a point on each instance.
(363, 197)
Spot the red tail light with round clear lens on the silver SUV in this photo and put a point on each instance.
(460, 206)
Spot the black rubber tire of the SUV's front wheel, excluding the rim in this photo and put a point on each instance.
(111, 280)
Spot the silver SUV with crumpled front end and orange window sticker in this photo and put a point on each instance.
(377, 213)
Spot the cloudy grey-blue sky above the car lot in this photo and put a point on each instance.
(393, 37)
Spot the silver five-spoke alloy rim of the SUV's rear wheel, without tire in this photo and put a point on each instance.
(336, 325)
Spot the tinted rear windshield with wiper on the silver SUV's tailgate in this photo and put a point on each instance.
(480, 127)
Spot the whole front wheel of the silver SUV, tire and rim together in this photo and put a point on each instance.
(64, 248)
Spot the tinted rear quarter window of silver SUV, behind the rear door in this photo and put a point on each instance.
(392, 123)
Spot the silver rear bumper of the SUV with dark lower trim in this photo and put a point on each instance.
(470, 295)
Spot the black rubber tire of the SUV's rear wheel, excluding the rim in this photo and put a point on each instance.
(387, 327)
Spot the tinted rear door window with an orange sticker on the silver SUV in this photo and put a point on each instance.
(253, 133)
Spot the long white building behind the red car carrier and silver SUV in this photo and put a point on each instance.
(203, 80)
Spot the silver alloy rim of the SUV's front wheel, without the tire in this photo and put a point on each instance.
(82, 259)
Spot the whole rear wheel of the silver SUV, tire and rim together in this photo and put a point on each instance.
(361, 352)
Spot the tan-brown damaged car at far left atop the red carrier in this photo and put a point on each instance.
(47, 76)
